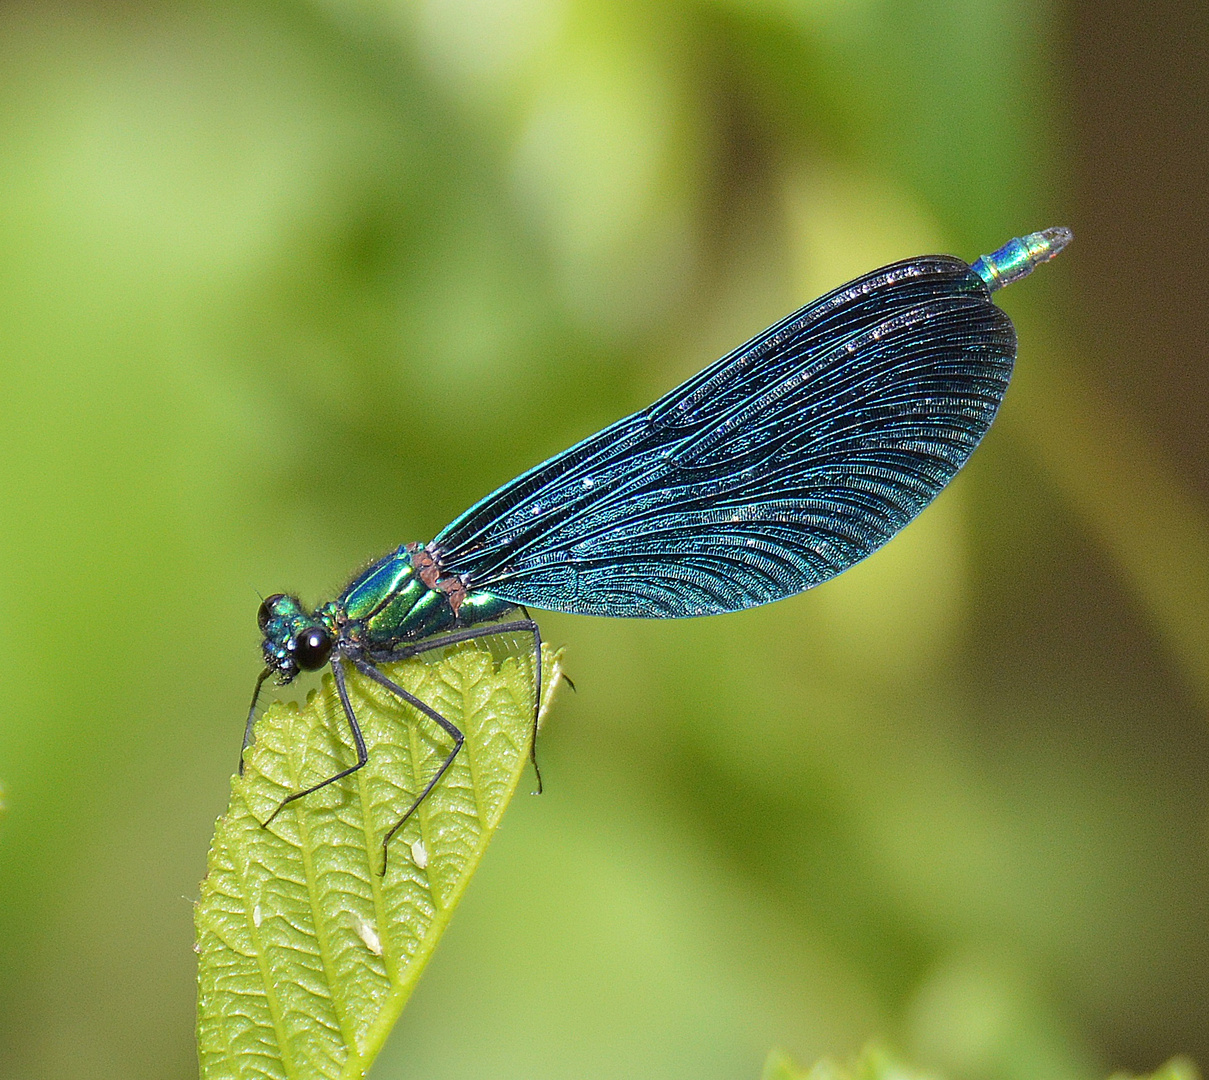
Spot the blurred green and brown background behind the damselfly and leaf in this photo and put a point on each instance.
(285, 285)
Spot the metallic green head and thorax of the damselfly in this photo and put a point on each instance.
(398, 600)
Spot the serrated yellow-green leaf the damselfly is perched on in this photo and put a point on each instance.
(309, 955)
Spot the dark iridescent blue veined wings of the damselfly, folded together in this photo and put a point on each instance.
(770, 472)
